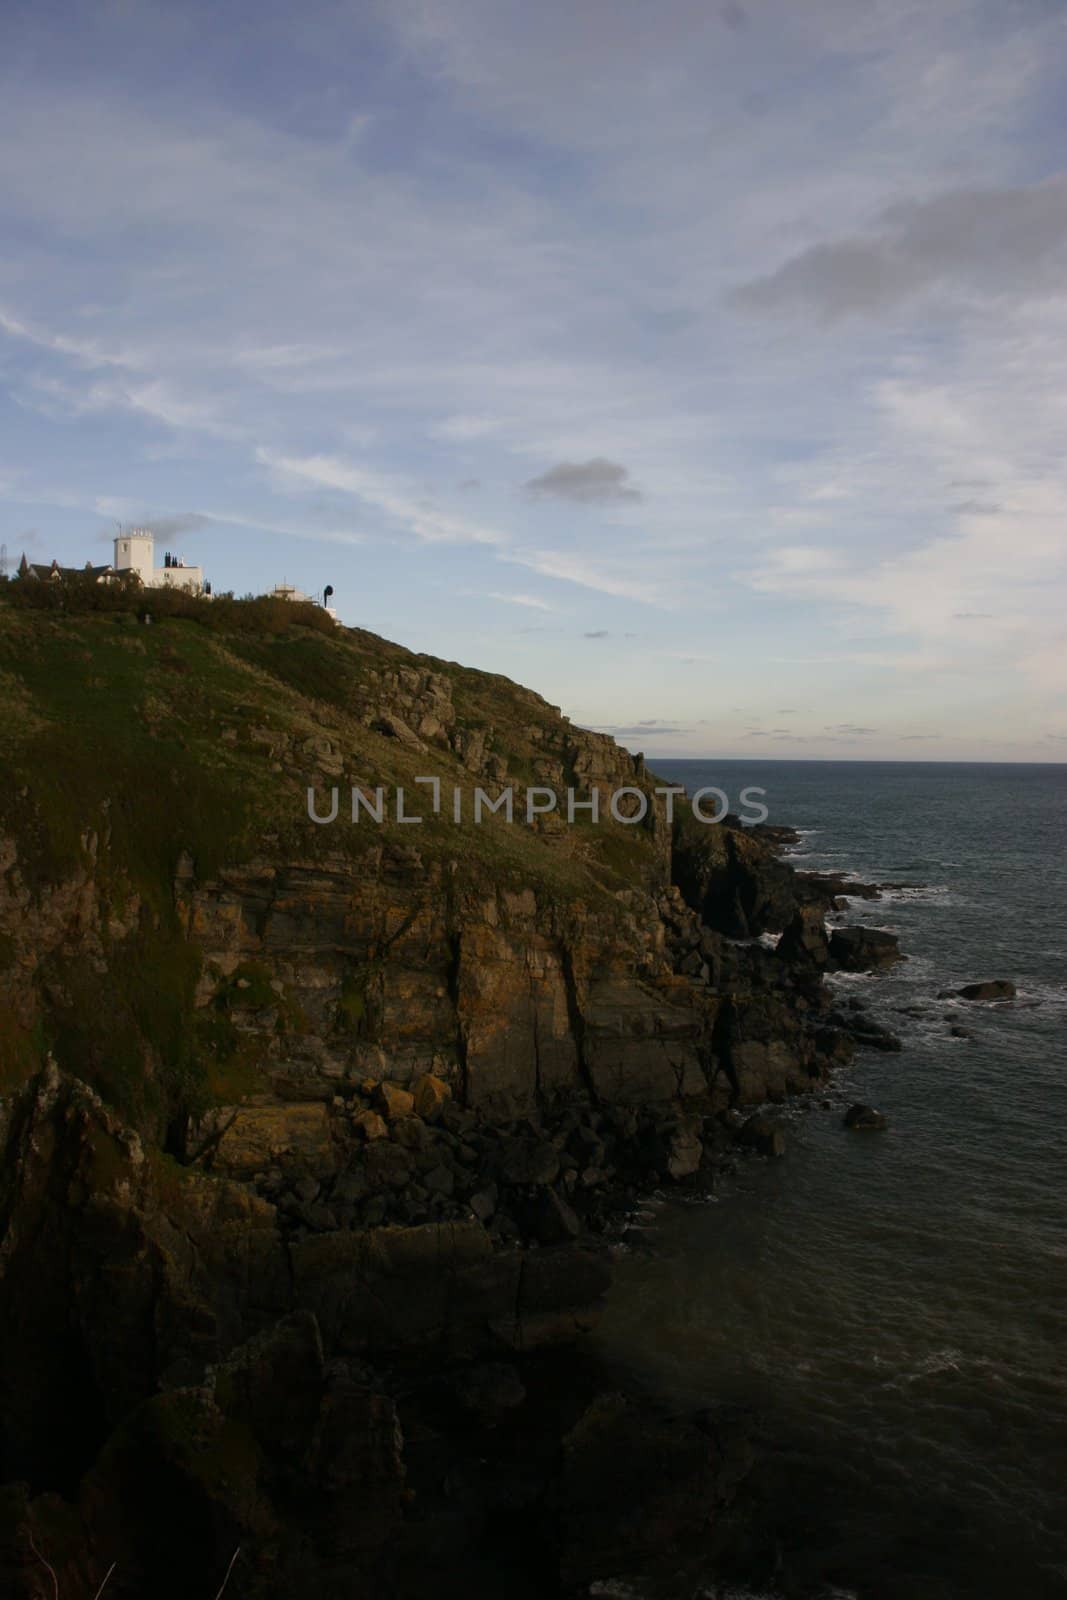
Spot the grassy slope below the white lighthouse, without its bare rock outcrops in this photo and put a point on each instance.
(185, 737)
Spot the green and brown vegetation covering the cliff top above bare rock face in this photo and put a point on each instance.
(132, 748)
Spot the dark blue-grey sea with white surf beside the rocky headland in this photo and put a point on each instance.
(895, 1306)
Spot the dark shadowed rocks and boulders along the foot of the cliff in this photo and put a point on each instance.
(362, 1364)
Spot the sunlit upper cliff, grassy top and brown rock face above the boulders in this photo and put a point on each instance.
(175, 927)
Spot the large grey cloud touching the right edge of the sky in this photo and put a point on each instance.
(983, 242)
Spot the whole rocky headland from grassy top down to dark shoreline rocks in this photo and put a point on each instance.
(287, 1105)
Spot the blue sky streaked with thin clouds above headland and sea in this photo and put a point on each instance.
(701, 366)
